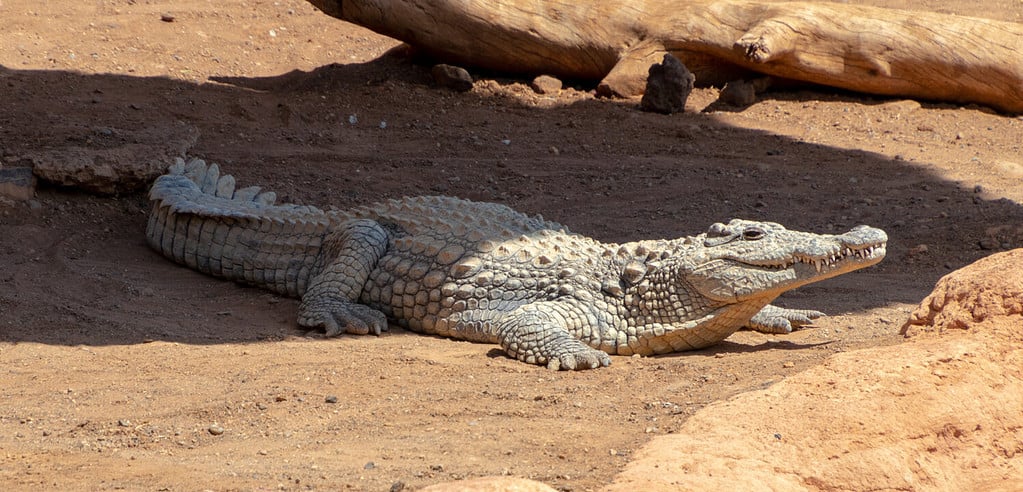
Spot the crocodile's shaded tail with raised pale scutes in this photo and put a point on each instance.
(199, 219)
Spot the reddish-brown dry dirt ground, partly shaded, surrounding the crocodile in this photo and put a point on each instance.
(121, 371)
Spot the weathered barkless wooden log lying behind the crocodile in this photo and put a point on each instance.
(874, 51)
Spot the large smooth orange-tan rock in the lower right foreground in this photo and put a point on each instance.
(942, 412)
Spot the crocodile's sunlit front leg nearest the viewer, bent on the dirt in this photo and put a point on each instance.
(542, 334)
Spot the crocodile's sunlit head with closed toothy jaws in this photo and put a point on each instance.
(746, 260)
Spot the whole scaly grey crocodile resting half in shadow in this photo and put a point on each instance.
(484, 273)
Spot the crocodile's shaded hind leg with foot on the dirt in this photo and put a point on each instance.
(350, 254)
